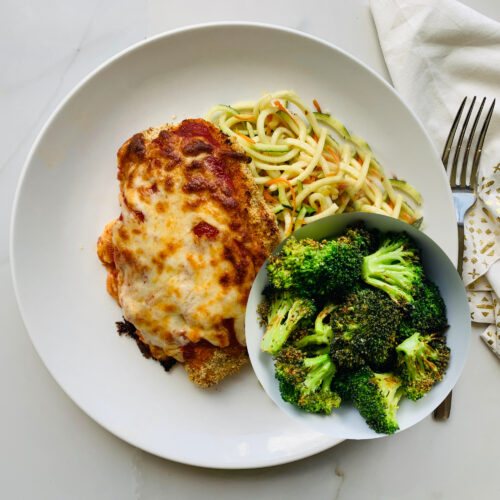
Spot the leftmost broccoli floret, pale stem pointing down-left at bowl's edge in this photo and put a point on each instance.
(282, 313)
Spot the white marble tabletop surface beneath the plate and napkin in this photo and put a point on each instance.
(52, 450)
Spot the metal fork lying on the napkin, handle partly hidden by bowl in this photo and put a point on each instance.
(464, 192)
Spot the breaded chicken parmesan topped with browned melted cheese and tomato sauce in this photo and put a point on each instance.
(192, 234)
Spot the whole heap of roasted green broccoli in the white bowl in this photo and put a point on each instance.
(371, 294)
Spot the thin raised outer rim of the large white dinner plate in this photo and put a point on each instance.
(329, 441)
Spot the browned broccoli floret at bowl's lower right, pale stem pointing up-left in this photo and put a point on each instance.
(422, 361)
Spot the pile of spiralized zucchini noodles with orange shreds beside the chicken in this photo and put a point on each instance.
(308, 165)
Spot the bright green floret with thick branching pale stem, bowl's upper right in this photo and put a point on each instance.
(395, 268)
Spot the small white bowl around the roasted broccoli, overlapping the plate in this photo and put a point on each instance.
(345, 422)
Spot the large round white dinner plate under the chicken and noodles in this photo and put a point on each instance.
(68, 192)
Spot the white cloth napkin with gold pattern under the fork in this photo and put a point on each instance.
(438, 52)
